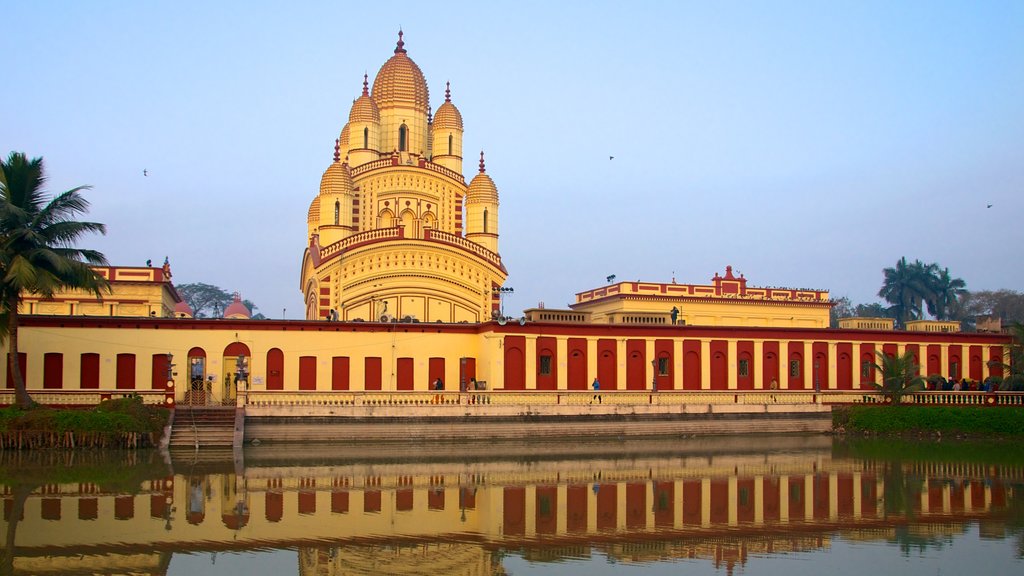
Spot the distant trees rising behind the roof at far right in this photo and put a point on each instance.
(911, 290)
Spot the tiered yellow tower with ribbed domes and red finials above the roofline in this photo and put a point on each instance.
(396, 233)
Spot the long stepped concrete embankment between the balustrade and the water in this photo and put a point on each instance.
(404, 424)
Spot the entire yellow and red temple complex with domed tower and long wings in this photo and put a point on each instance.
(402, 282)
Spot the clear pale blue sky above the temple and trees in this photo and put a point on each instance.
(808, 145)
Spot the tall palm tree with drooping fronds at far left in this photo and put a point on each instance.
(37, 248)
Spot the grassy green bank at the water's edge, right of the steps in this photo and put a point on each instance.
(932, 421)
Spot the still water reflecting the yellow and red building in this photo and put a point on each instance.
(723, 506)
